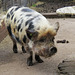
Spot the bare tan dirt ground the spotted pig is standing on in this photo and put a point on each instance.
(15, 64)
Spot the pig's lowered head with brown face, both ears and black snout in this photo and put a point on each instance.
(42, 41)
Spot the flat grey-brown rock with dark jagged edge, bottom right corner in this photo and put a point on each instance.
(67, 66)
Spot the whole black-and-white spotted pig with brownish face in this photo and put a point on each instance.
(32, 30)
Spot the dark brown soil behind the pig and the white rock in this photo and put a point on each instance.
(50, 6)
